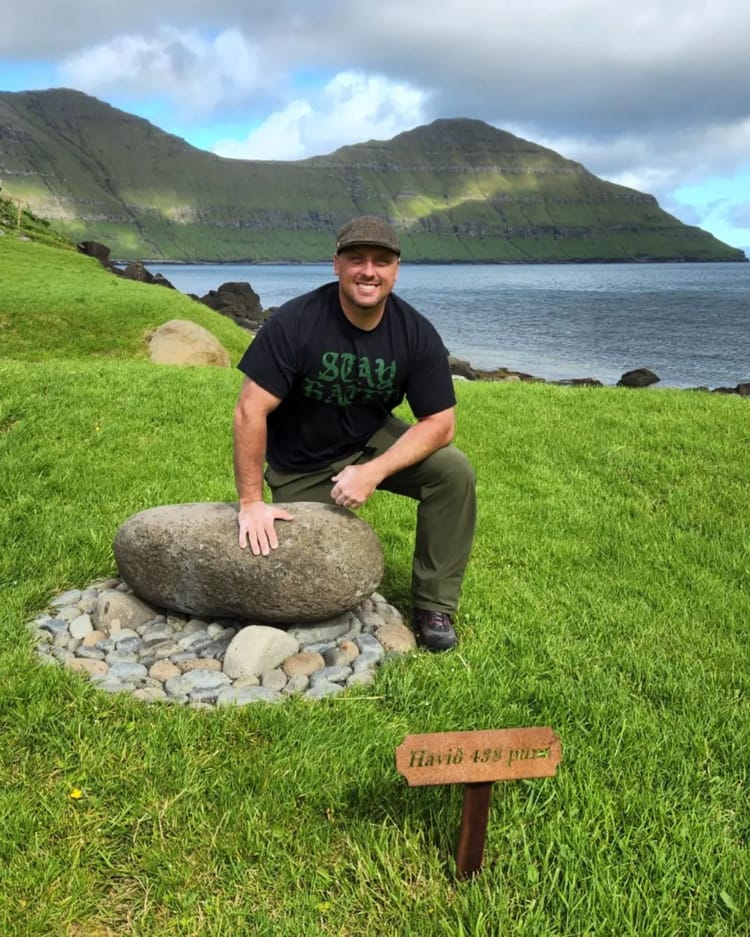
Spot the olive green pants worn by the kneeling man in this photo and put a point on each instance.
(444, 486)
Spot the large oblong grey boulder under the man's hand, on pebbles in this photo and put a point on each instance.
(187, 557)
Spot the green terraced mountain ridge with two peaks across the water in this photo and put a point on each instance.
(458, 190)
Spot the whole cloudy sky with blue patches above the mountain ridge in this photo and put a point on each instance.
(652, 94)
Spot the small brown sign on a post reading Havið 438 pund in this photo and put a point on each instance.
(477, 760)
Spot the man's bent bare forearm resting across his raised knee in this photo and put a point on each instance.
(355, 483)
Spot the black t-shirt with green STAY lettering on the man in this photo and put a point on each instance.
(337, 383)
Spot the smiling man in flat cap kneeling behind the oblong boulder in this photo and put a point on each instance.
(321, 380)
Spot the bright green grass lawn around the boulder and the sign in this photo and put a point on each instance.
(607, 597)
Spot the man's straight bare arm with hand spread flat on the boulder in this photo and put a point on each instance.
(255, 518)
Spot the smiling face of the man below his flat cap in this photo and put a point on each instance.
(366, 277)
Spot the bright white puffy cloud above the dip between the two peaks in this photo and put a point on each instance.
(351, 108)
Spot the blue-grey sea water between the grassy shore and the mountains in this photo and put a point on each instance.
(689, 323)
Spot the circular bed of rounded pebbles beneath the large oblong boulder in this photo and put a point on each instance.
(163, 656)
